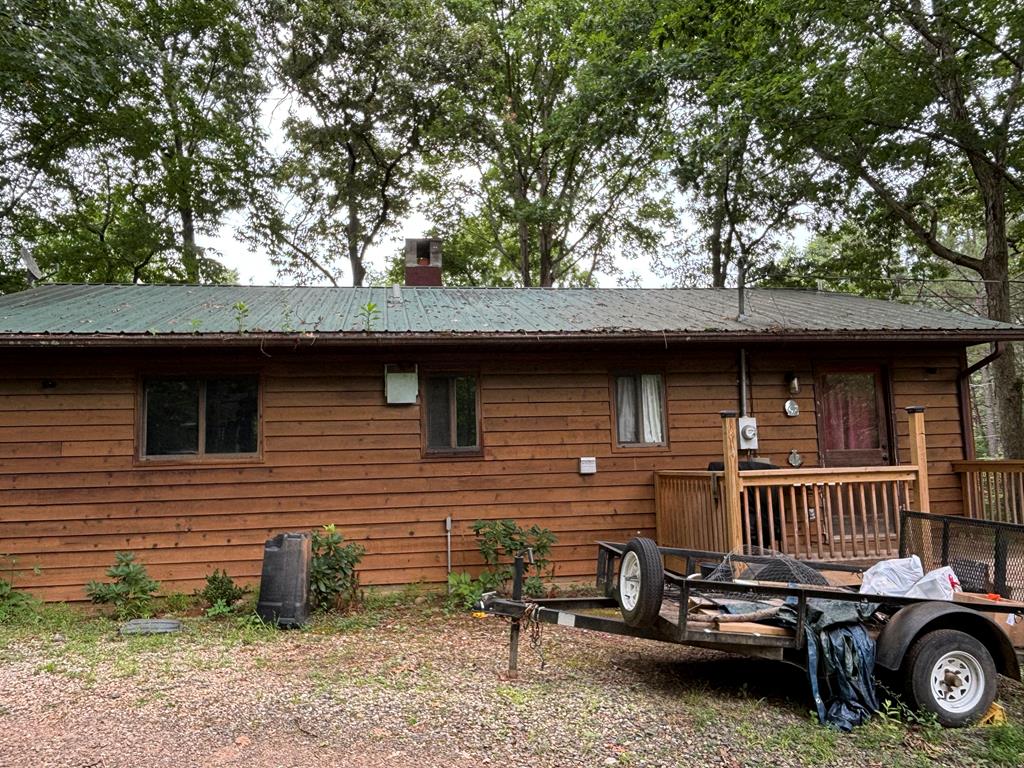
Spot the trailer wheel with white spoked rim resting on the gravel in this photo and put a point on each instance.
(952, 674)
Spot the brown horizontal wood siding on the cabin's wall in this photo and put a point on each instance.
(72, 492)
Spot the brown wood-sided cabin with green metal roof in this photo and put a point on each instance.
(190, 424)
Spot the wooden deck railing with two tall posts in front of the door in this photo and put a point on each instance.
(819, 514)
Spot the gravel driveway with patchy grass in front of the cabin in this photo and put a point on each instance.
(404, 686)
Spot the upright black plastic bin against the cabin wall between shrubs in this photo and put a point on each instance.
(284, 587)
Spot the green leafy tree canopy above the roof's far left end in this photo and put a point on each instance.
(163, 140)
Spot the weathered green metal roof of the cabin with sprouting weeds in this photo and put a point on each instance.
(78, 313)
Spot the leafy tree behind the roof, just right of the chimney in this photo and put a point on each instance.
(564, 135)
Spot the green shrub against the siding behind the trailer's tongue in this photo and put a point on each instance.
(500, 541)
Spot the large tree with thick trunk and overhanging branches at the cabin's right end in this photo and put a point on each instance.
(916, 108)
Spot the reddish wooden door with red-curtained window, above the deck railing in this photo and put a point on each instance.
(854, 430)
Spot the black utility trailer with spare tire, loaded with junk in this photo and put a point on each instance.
(946, 655)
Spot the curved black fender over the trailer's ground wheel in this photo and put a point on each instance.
(911, 623)
